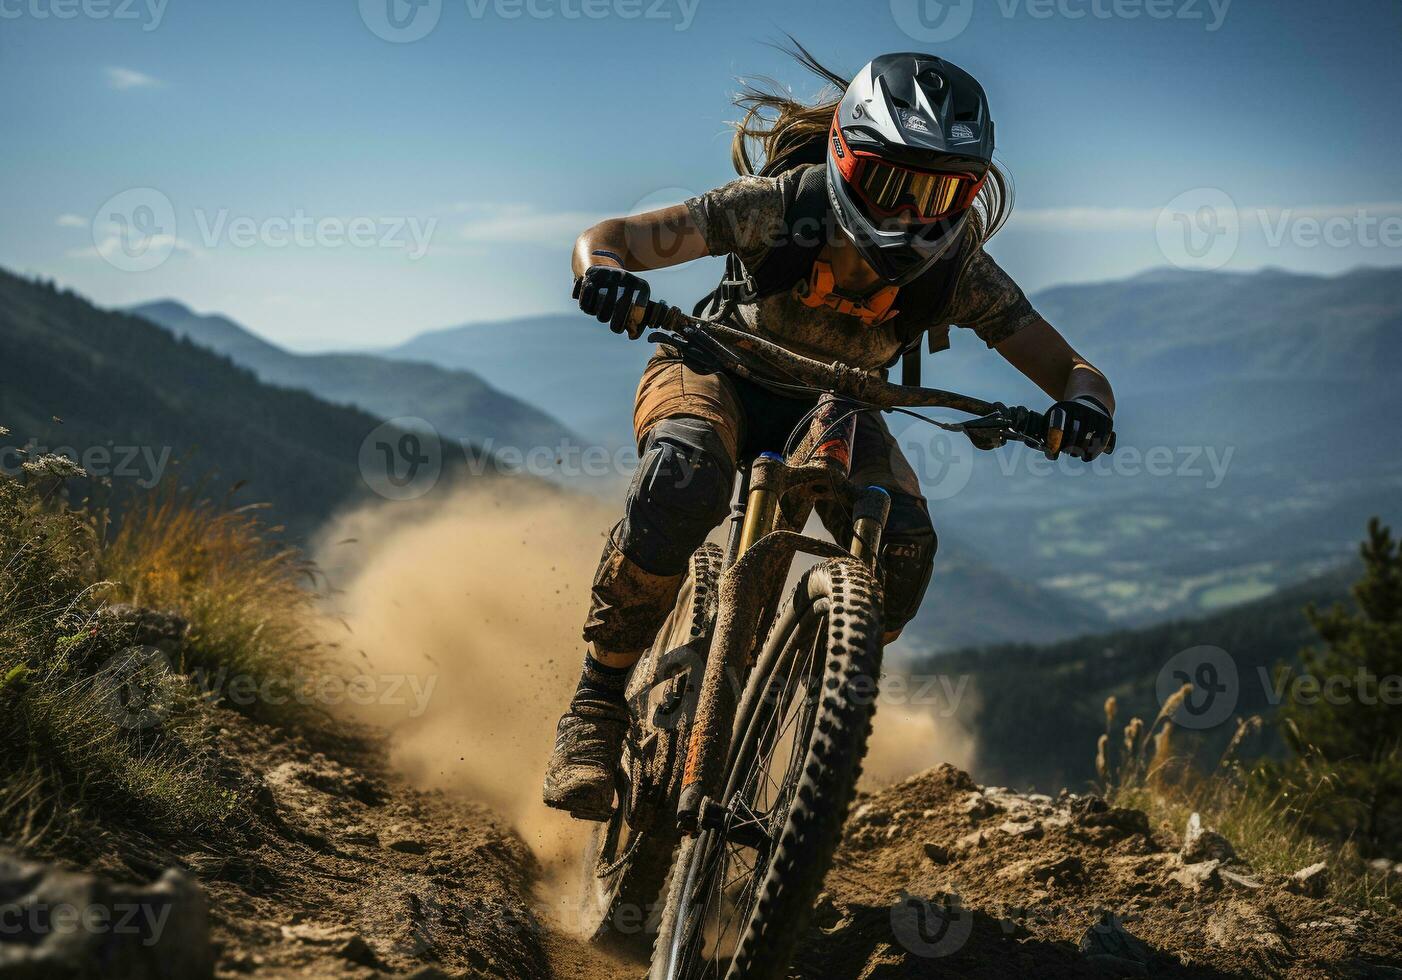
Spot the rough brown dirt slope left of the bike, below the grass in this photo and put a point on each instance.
(353, 874)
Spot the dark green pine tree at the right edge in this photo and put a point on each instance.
(1344, 717)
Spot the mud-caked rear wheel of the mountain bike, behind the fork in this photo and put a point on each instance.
(626, 869)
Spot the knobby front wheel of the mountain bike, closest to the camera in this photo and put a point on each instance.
(741, 892)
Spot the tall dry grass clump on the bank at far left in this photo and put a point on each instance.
(75, 761)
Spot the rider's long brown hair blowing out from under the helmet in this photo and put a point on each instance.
(779, 132)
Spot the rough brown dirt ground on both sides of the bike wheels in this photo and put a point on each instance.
(355, 876)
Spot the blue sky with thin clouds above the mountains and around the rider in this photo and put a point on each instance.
(442, 180)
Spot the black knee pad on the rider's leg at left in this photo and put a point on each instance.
(681, 493)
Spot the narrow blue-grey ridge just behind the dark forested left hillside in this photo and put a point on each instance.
(458, 403)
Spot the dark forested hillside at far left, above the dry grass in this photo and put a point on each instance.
(117, 381)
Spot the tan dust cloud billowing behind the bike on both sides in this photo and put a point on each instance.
(479, 598)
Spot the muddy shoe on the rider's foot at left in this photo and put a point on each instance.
(580, 777)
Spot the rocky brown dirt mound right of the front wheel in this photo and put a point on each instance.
(939, 877)
